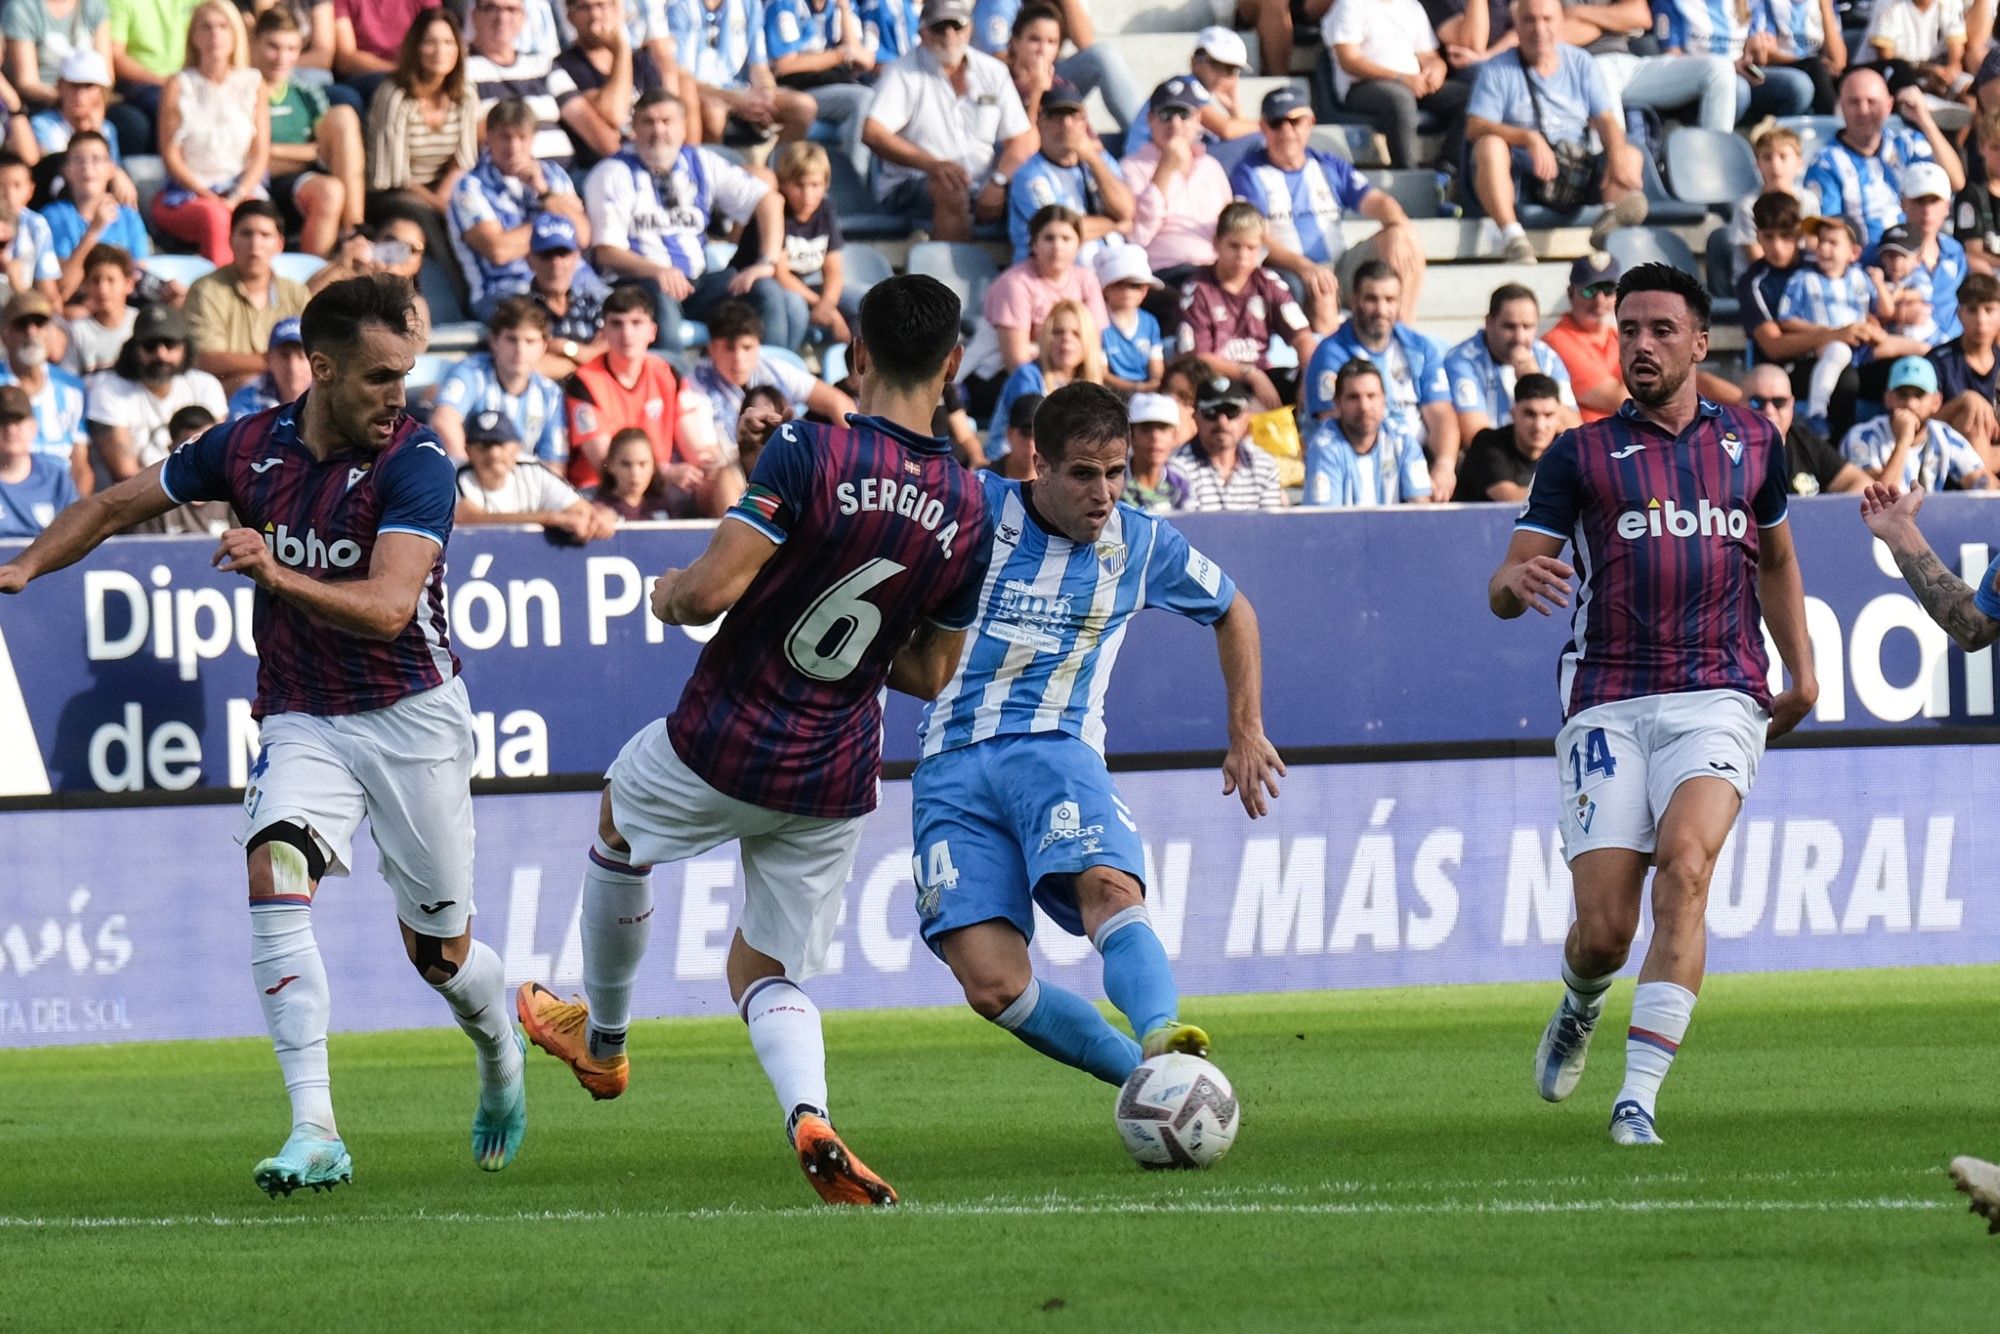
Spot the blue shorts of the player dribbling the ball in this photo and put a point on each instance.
(1007, 825)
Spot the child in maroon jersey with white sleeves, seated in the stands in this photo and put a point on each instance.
(1233, 309)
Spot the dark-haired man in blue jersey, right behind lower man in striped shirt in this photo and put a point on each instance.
(1413, 371)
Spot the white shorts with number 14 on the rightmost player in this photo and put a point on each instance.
(1623, 763)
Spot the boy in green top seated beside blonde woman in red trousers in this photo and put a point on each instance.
(315, 149)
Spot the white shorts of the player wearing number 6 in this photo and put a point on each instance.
(795, 867)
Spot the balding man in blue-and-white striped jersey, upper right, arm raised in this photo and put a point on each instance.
(1857, 177)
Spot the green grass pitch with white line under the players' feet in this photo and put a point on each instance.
(1395, 1171)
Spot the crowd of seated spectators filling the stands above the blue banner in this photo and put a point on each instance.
(637, 203)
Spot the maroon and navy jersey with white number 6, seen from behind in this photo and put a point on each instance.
(877, 529)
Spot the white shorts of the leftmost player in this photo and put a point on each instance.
(409, 769)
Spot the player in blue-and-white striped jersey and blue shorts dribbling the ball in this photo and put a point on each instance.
(1013, 805)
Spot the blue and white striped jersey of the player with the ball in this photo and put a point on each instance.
(1053, 615)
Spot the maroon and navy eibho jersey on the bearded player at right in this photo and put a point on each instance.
(1665, 535)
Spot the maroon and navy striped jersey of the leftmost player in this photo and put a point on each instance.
(321, 517)
